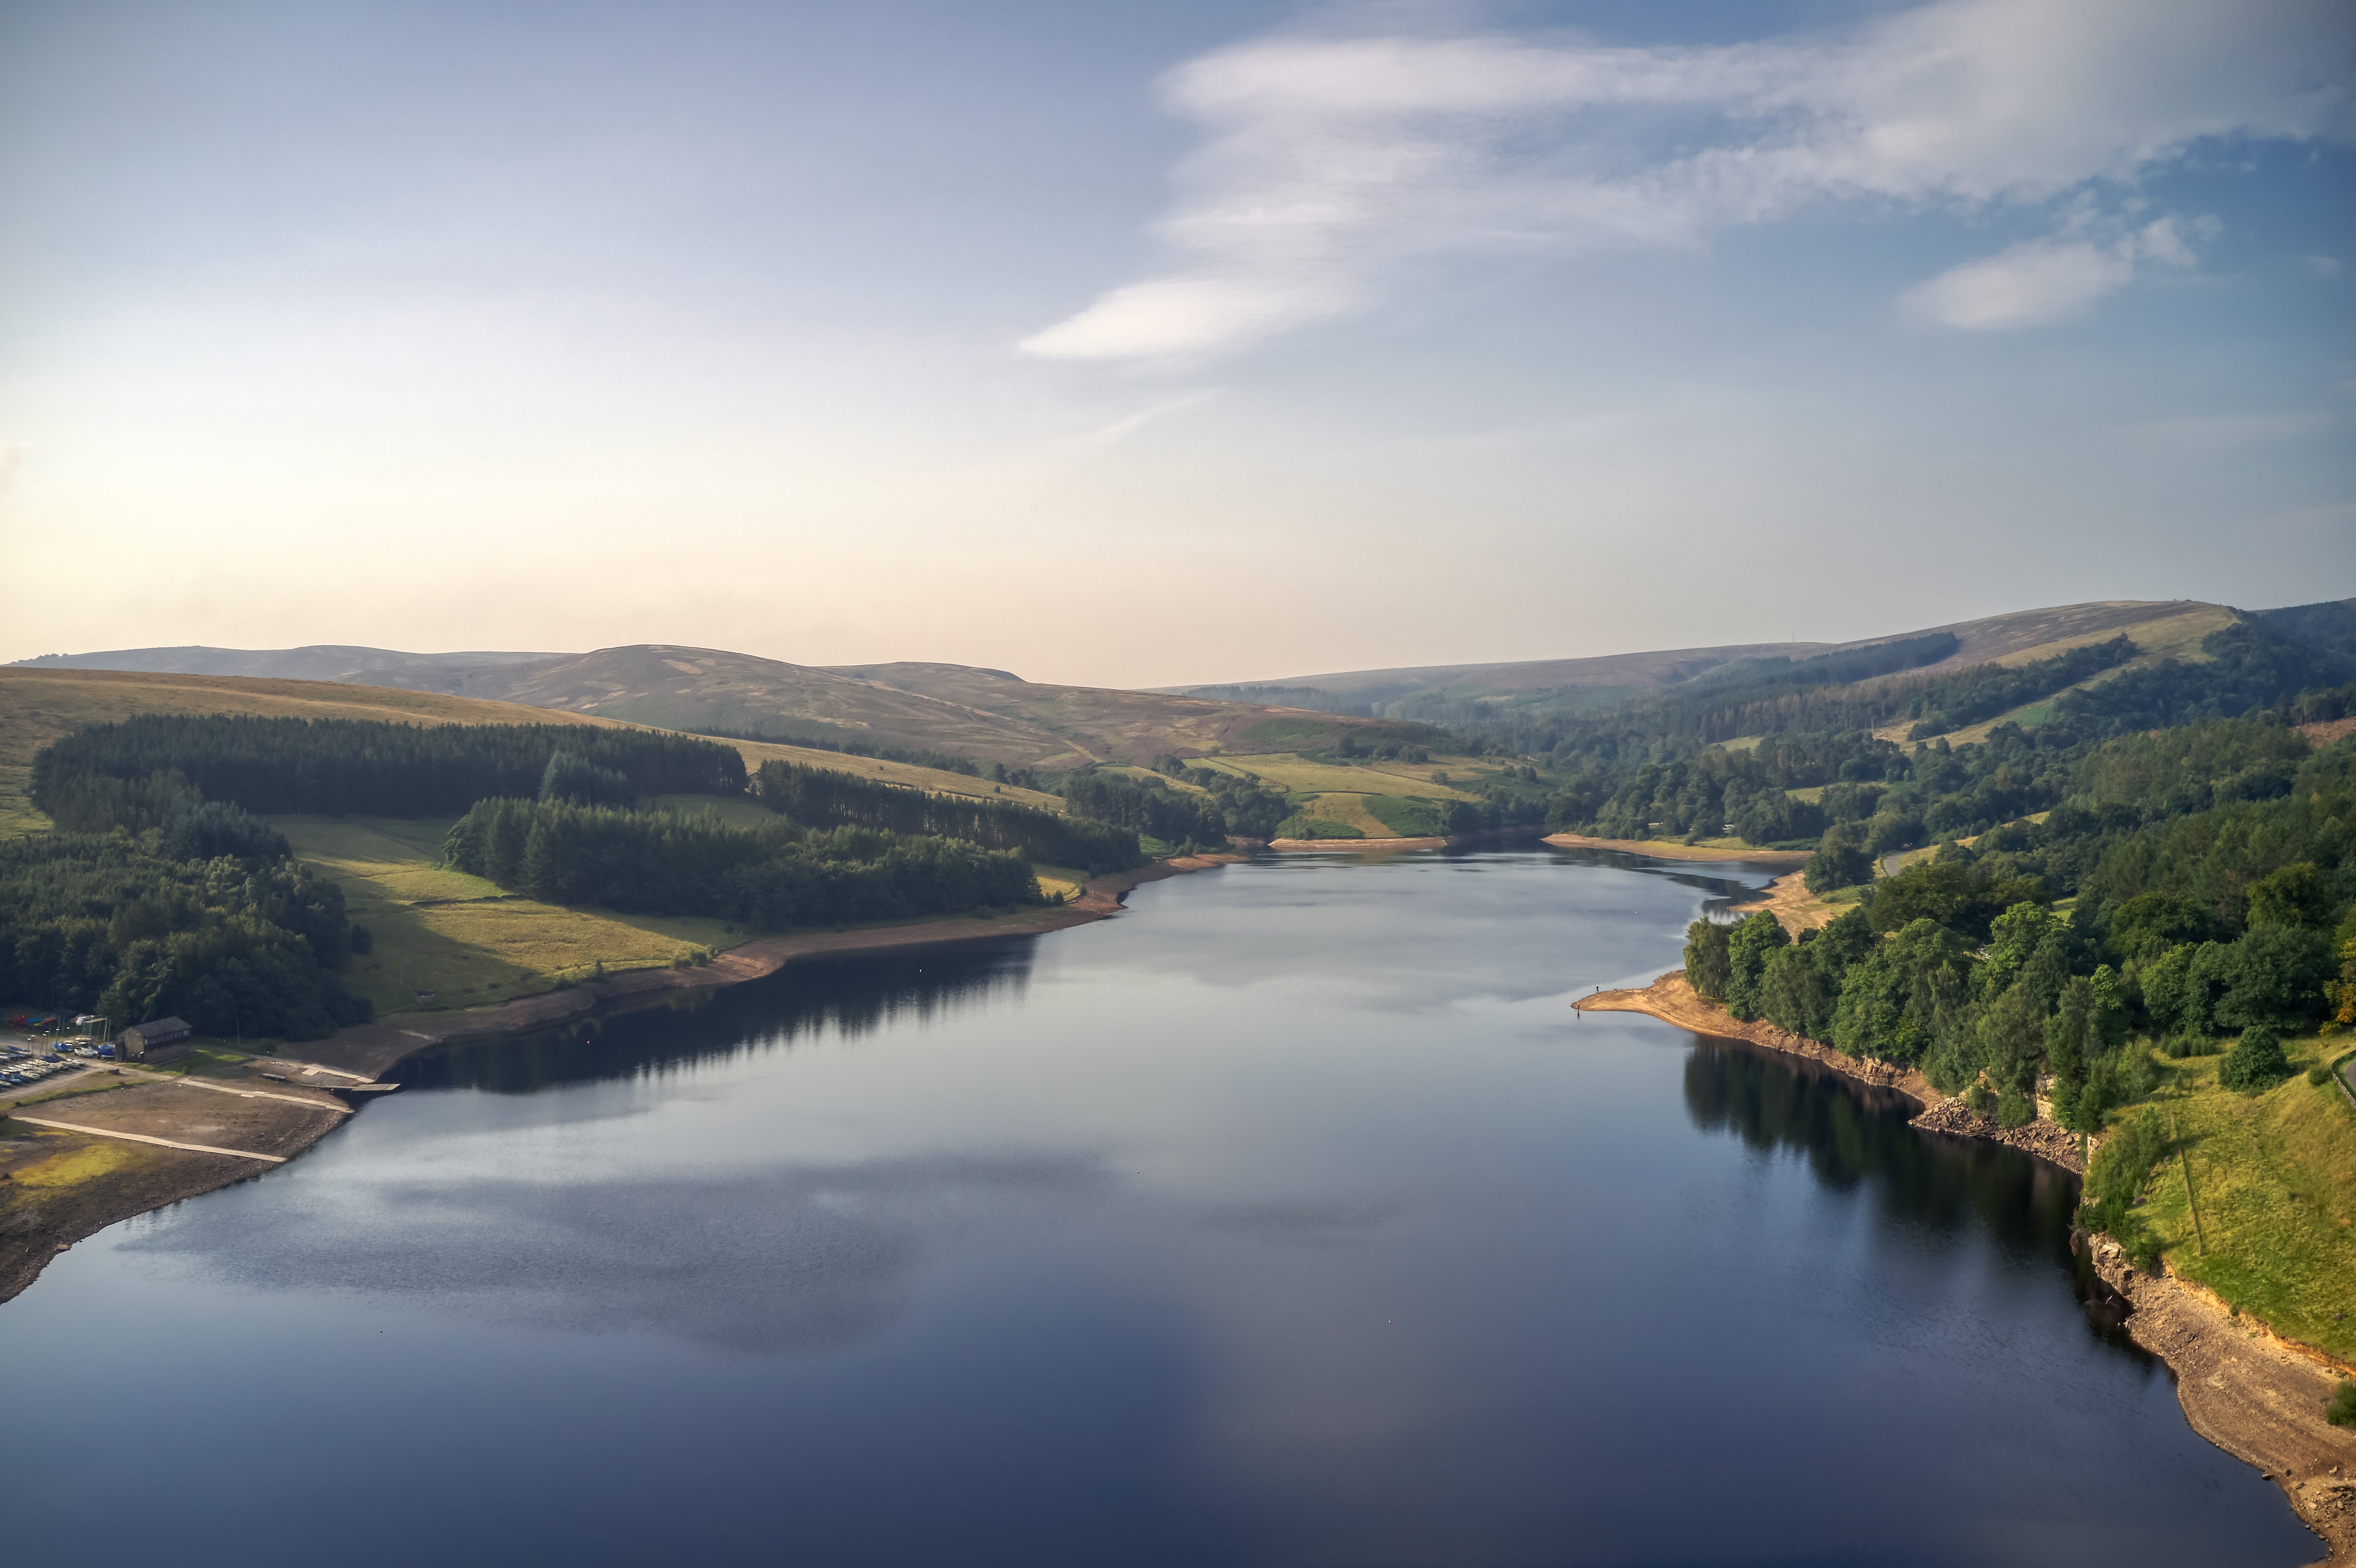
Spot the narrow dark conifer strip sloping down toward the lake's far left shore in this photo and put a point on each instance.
(823, 797)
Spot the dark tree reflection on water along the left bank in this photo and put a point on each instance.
(845, 997)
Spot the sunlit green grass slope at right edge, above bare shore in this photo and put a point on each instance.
(2275, 1178)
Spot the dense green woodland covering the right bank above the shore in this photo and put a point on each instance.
(2216, 896)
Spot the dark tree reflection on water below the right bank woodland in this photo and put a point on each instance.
(1858, 1136)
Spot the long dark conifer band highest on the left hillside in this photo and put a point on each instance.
(352, 766)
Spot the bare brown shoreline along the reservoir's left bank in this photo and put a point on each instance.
(366, 1051)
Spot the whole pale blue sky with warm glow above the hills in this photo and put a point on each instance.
(1137, 345)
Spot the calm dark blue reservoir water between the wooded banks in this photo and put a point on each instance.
(1288, 1221)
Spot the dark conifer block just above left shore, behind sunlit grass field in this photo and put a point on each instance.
(694, 865)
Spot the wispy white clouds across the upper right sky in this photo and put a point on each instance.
(1332, 164)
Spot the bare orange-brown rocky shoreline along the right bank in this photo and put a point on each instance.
(2244, 1388)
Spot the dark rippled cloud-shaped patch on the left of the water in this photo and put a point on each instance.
(788, 1258)
